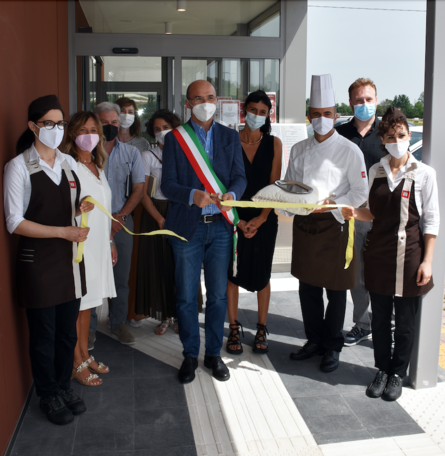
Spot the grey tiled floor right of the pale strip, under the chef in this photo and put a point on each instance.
(333, 405)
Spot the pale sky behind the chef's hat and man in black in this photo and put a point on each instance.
(385, 46)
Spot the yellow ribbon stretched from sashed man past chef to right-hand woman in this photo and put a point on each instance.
(277, 205)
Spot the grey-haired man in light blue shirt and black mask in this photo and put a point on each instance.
(126, 177)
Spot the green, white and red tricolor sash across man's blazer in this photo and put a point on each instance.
(200, 162)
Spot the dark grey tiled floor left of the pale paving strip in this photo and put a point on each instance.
(140, 410)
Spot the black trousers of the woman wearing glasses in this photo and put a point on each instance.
(52, 338)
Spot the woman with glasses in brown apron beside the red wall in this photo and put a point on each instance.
(41, 193)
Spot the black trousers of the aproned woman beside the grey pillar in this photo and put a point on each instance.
(405, 310)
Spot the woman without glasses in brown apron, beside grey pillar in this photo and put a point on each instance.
(403, 205)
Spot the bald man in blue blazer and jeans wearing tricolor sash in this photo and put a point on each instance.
(194, 214)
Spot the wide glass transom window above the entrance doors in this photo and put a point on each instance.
(242, 17)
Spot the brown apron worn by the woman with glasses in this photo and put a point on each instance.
(46, 272)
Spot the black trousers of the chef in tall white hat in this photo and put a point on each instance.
(323, 328)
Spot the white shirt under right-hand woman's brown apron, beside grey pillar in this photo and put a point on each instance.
(425, 190)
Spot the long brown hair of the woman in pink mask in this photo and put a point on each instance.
(98, 155)
